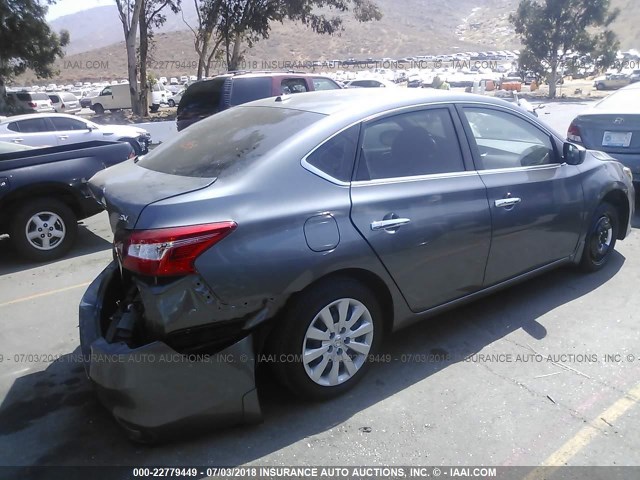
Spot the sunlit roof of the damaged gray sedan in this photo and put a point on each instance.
(370, 101)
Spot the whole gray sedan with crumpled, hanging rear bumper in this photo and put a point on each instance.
(296, 232)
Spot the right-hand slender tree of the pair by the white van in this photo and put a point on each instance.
(150, 16)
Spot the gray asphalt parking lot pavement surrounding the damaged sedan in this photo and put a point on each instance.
(546, 372)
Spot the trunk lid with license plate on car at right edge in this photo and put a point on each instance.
(610, 132)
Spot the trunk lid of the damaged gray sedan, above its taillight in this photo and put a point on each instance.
(126, 189)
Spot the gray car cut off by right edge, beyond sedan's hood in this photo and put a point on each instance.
(613, 126)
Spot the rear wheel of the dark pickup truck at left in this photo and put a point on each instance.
(45, 214)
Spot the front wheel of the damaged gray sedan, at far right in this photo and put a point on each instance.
(601, 238)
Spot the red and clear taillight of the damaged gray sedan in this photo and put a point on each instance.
(168, 252)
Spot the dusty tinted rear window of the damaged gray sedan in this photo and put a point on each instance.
(227, 142)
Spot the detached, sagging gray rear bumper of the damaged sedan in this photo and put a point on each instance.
(153, 390)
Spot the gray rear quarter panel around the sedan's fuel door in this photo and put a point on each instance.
(267, 257)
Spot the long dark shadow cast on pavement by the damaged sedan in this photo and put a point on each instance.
(59, 399)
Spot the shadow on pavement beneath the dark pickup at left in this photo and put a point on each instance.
(86, 243)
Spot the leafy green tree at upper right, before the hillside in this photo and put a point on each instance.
(548, 29)
